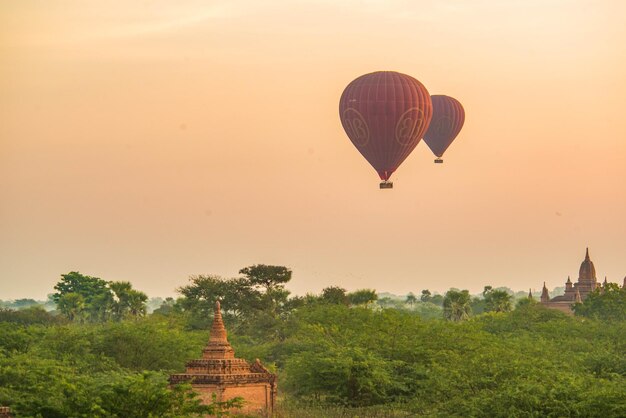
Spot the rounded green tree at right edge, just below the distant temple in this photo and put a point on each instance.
(608, 304)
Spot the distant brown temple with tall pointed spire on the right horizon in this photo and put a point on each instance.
(575, 292)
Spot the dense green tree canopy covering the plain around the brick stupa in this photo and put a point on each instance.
(336, 354)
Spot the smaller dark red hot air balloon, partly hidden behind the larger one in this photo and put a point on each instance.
(447, 121)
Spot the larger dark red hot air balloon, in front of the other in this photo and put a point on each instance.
(385, 114)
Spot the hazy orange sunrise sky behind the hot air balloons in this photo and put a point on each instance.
(147, 141)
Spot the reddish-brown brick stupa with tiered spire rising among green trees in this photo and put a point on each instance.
(219, 372)
